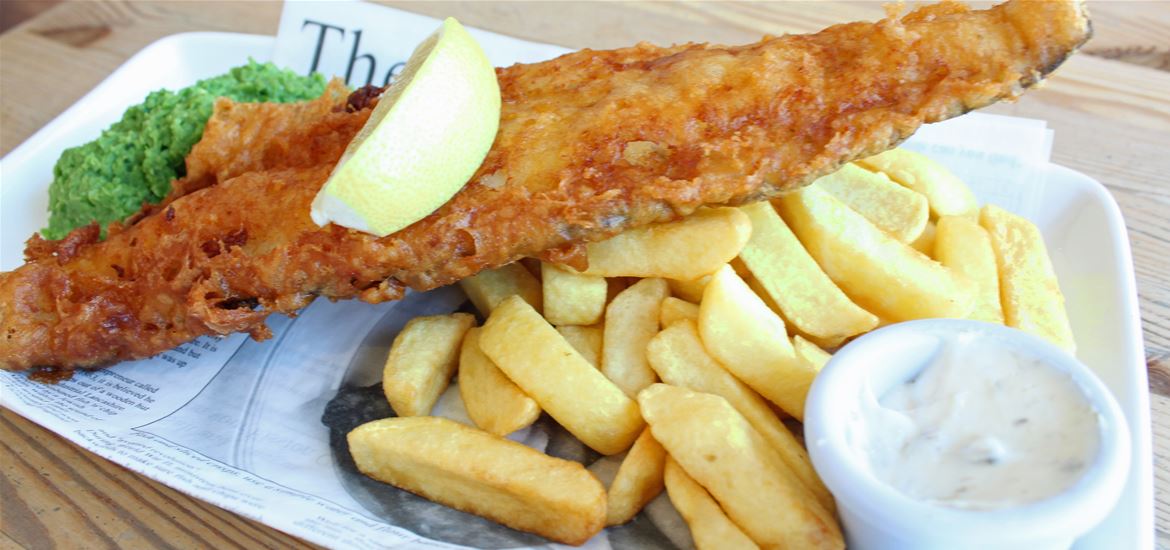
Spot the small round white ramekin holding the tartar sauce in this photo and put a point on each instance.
(878, 517)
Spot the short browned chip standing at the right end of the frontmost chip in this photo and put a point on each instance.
(639, 480)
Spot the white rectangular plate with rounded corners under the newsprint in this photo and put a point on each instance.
(1079, 219)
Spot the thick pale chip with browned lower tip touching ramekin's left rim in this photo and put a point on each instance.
(749, 340)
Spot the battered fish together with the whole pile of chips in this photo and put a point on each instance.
(664, 244)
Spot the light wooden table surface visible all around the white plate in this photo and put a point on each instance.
(1111, 111)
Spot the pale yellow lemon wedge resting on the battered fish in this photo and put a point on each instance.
(426, 137)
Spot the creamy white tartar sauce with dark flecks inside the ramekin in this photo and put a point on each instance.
(981, 428)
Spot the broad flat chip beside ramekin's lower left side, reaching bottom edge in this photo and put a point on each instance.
(718, 448)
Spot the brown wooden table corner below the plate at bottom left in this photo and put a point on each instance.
(58, 496)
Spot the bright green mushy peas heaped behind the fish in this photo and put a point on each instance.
(136, 159)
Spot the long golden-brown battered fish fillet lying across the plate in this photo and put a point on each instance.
(590, 145)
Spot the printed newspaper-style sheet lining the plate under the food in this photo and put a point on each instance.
(259, 428)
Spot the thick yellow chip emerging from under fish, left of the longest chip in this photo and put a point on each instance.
(795, 284)
